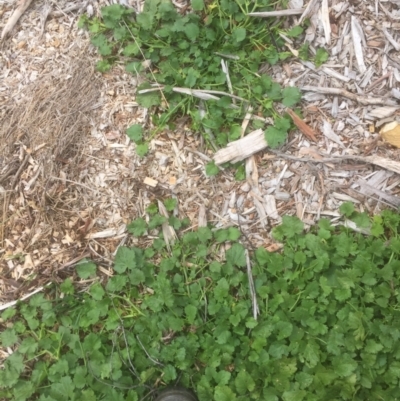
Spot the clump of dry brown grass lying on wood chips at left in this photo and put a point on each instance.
(40, 137)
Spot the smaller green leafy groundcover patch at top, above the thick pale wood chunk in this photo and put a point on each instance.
(186, 50)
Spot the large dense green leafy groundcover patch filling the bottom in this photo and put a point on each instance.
(328, 329)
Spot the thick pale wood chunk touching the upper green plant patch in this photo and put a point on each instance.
(242, 148)
